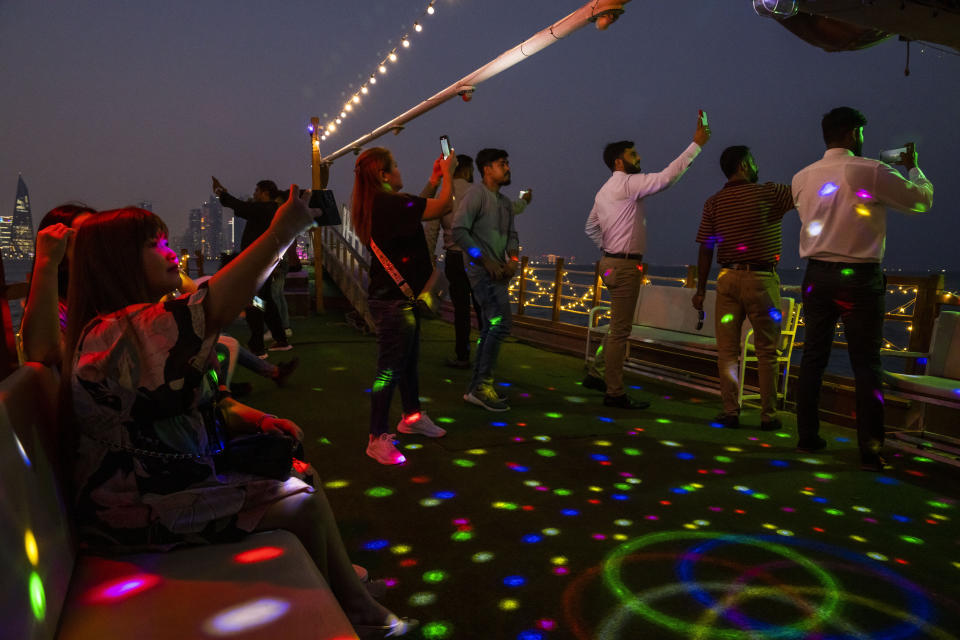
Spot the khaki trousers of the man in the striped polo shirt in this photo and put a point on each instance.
(754, 295)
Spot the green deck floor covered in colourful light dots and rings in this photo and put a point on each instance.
(565, 519)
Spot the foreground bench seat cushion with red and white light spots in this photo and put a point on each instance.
(264, 586)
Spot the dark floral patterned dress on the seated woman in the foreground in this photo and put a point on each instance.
(145, 471)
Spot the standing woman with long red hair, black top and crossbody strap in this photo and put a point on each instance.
(389, 222)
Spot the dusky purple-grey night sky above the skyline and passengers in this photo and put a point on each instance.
(115, 102)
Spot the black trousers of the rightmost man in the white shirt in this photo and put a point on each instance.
(852, 293)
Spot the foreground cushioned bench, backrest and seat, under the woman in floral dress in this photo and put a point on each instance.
(263, 587)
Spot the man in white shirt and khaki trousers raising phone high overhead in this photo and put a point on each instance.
(617, 224)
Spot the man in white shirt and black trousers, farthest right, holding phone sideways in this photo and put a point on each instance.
(842, 200)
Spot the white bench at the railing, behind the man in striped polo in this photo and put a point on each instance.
(665, 326)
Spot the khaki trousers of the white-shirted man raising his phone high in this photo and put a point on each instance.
(623, 278)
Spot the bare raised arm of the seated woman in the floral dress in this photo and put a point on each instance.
(232, 287)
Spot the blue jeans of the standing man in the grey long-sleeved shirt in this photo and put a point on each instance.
(494, 301)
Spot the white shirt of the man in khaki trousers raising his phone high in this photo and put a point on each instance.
(618, 221)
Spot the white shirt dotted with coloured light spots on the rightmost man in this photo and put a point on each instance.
(843, 199)
